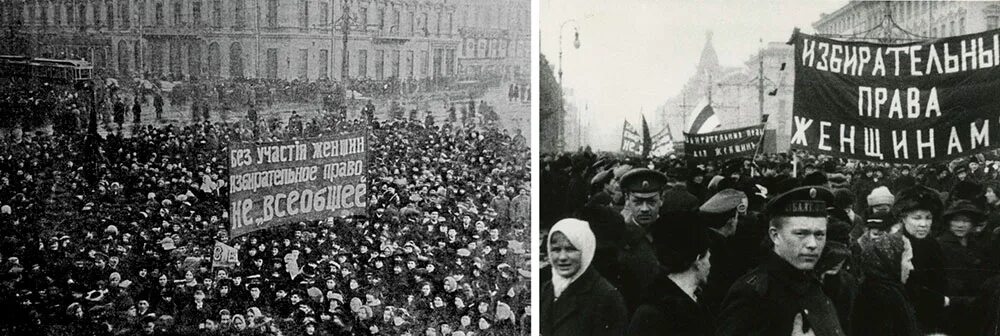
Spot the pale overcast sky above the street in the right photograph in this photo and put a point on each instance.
(635, 54)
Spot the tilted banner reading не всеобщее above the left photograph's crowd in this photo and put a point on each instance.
(281, 182)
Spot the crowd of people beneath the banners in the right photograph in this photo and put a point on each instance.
(784, 244)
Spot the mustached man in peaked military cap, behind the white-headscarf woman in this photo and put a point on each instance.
(638, 261)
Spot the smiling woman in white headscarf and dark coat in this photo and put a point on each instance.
(578, 301)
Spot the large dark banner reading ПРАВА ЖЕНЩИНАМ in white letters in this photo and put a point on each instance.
(920, 102)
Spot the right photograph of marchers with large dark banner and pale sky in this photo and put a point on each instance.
(769, 167)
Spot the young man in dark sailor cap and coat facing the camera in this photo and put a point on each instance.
(783, 296)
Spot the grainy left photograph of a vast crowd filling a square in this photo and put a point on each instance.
(265, 167)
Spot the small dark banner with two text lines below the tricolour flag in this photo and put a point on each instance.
(721, 145)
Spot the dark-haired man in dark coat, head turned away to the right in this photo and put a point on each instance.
(673, 307)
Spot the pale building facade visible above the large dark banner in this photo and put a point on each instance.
(915, 19)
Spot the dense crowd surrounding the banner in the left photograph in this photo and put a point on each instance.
(117, 239)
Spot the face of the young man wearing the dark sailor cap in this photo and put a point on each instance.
(799, 240)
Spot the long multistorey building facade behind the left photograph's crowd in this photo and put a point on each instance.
(281, 39)
